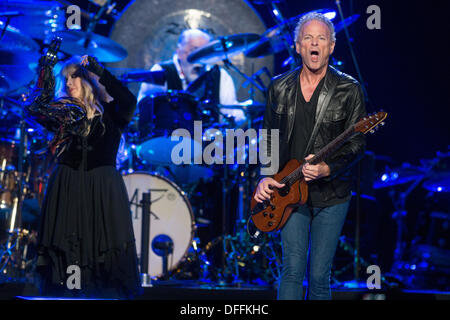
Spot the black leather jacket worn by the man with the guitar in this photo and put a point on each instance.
(345, 108)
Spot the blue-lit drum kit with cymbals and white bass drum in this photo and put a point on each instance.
(173, 223)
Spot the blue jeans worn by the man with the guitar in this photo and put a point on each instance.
(322, 226)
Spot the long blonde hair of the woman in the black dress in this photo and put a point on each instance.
(91, 92)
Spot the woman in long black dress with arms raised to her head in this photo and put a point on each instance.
(85, 220)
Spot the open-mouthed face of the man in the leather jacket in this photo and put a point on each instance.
(314, 45)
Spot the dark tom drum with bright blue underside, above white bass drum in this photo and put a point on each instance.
(173, 110)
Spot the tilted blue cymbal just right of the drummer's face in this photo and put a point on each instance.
(223, 48)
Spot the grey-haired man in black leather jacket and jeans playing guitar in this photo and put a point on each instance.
(311, 106)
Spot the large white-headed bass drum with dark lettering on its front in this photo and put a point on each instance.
(171, 219)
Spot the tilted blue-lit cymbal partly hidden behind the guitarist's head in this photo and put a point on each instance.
(274, 39)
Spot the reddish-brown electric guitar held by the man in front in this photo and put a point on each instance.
(271, 215)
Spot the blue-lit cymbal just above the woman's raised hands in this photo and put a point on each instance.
(77, 42)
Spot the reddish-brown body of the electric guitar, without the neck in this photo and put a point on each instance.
(282, 203)
